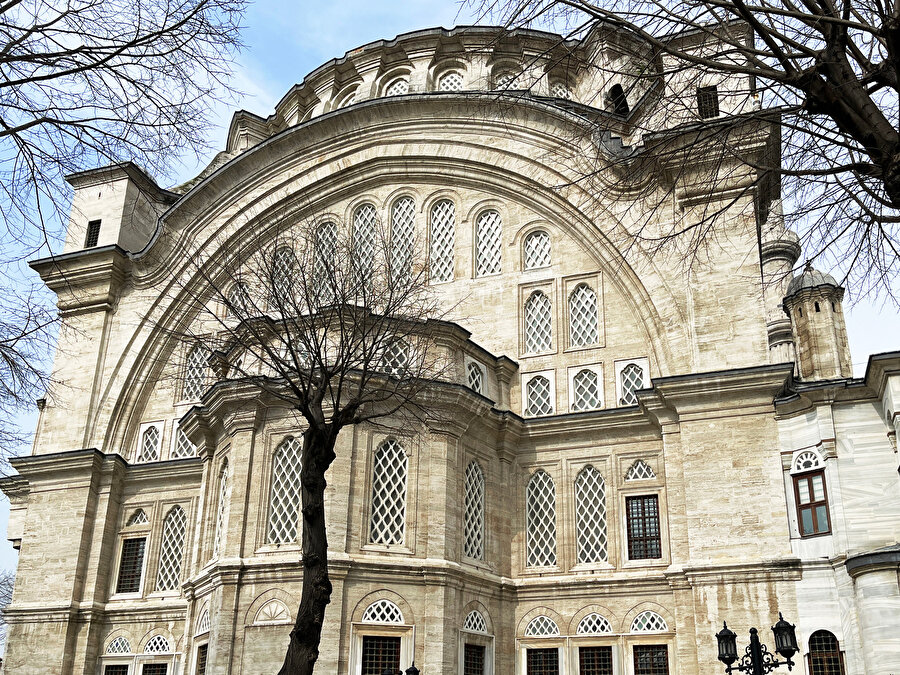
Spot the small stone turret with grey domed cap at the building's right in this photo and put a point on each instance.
(813, 303)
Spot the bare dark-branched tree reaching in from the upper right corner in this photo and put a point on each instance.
(825, 73)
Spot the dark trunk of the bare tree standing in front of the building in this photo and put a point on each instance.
(303, 650)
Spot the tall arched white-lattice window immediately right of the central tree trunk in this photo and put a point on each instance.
(388, 521)
